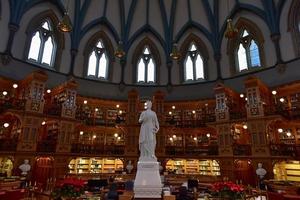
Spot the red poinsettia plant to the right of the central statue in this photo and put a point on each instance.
(228, 190)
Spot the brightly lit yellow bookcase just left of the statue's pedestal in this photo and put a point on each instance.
(95, 165)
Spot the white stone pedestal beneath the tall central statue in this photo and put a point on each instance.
(147, 182)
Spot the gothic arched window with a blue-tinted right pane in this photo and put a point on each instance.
(247, 52)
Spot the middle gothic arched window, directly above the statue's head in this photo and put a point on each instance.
(146, 67)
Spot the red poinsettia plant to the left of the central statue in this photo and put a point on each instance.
(68, 188)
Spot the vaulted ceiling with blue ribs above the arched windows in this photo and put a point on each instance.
(166, 20)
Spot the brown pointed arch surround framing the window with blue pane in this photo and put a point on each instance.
(255, 34)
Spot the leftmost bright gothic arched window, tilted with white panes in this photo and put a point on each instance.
(42, 48)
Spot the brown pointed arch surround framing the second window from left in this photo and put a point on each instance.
(90, 45)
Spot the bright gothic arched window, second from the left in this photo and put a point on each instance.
(98, 61)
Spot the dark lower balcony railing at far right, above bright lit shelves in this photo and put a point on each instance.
(283, 150)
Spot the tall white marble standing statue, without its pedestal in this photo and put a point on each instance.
(149, 128)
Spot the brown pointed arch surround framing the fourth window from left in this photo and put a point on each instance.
(201, 49)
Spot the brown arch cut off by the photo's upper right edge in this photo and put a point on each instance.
(294, 25)
